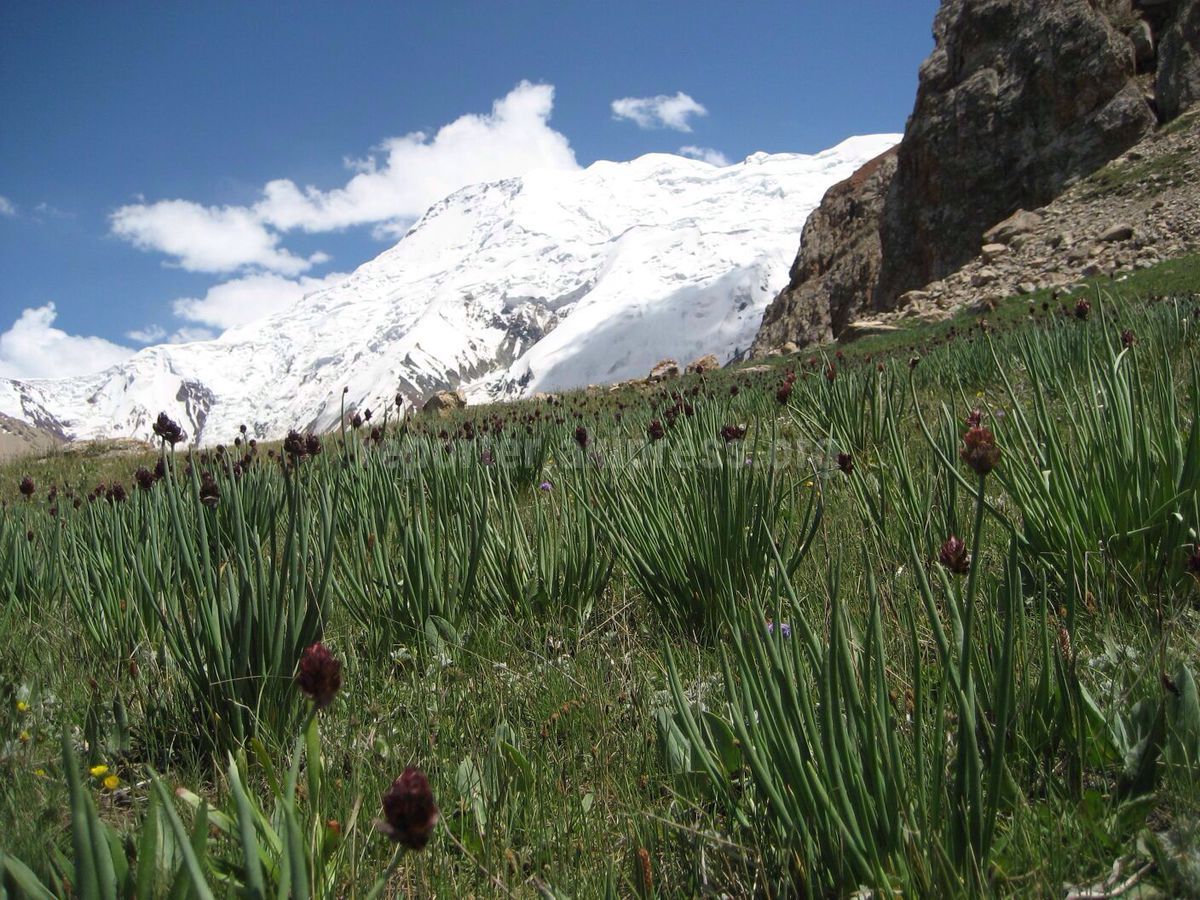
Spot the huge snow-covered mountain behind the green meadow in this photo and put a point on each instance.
(550, 281)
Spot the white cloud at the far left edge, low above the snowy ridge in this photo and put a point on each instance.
(34, 349)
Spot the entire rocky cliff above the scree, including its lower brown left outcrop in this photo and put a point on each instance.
(1019, 100)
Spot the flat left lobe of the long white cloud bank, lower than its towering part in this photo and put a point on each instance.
(207, 239)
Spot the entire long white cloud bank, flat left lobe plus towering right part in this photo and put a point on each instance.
(389, 189)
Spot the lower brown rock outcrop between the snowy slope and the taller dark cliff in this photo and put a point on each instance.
(838, 263)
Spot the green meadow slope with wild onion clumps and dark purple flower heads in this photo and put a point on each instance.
(916, 617)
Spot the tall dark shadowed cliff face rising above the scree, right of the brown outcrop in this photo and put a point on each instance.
(1018, 99)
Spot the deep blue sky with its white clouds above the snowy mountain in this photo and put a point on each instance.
(157, 158)
